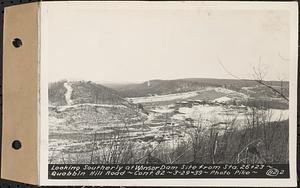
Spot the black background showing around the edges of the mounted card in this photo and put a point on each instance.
(12, 184)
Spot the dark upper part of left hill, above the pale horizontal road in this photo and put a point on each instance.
(83, 92)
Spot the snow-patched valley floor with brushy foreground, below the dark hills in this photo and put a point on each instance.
(213, 125)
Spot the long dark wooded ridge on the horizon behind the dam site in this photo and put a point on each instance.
(161, 87)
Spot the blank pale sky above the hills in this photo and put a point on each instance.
(138, 44)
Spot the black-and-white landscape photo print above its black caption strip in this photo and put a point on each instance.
(168, 84)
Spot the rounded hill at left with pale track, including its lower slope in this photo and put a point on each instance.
(87, 106)
